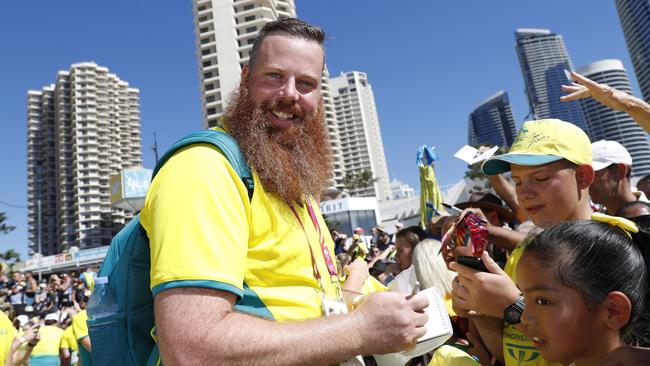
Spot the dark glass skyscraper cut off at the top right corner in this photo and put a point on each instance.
(635, 20)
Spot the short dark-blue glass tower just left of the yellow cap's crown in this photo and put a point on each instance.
(492, 122)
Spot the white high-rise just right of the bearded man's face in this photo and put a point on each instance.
(361, 143)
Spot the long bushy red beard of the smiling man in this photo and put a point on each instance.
(289, 162)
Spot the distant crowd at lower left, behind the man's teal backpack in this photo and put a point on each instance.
(40, 314)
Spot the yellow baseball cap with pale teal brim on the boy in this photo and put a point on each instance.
(543, 142)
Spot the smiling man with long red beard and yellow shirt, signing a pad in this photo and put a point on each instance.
(239, 280)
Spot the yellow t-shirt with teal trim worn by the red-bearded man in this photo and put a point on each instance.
(204, 231)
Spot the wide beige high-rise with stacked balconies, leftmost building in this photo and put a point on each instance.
(80, 130)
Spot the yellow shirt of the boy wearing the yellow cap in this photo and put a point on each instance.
(518, 350)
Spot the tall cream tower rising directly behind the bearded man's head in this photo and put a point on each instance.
(225, 31)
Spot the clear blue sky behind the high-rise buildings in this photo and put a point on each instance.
(430, 64)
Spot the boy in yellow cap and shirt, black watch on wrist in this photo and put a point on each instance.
(550, 162)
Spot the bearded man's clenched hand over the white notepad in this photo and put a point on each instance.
(391, 321)
